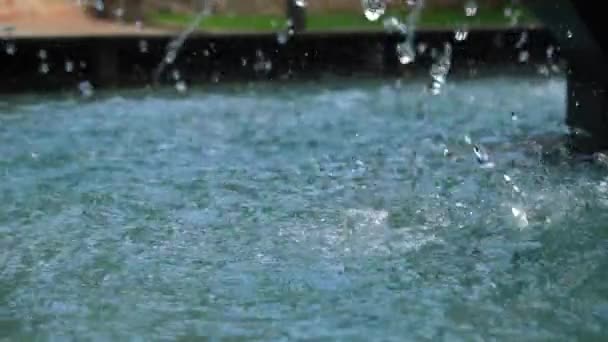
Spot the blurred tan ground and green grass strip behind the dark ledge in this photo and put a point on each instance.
(80, 17)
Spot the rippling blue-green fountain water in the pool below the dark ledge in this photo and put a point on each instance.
(275, 212)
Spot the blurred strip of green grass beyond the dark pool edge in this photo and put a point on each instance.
(436, 18)
